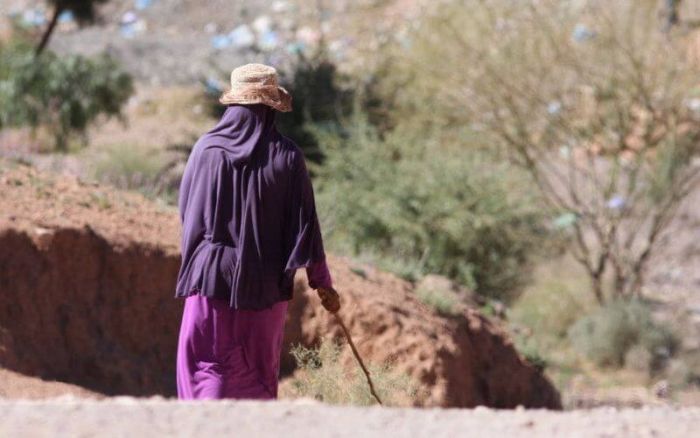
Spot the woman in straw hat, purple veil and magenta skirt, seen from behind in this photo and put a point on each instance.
(249, 222)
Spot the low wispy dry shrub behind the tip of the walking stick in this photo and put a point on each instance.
(321, 376)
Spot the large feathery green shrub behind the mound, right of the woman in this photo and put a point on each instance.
(438, 208)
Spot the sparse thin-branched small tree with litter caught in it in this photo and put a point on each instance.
(593, 102)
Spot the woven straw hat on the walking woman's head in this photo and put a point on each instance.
(257, 83)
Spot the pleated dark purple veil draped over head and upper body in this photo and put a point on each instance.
(248, 213)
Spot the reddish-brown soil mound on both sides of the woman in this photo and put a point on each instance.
(86, 283)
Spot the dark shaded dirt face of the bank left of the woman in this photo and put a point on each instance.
(77, 310)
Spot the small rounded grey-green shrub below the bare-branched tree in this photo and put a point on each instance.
(609, 333)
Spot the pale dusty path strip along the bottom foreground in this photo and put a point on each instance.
(158, 417)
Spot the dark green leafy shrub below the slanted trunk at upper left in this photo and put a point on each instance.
(62, 94)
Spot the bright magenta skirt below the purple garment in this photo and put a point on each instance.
(227, 353)
